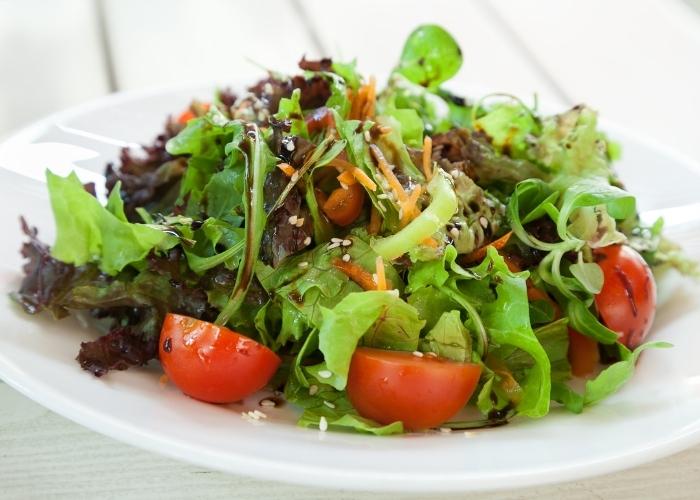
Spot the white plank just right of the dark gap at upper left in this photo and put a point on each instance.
(164, 42)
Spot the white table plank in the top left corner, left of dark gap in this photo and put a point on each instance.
(50, 58)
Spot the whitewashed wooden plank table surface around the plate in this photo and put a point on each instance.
(638, 62)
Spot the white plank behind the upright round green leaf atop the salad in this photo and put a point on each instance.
(374, 33)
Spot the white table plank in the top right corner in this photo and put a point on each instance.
(636, 61)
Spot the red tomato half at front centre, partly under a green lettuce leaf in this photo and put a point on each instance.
(422, 392)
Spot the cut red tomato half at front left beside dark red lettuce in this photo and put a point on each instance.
(212, 363)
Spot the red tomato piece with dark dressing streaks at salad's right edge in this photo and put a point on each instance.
(627, 301)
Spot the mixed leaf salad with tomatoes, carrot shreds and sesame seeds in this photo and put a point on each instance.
(380, 257)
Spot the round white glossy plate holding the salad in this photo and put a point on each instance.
(656, 414)
